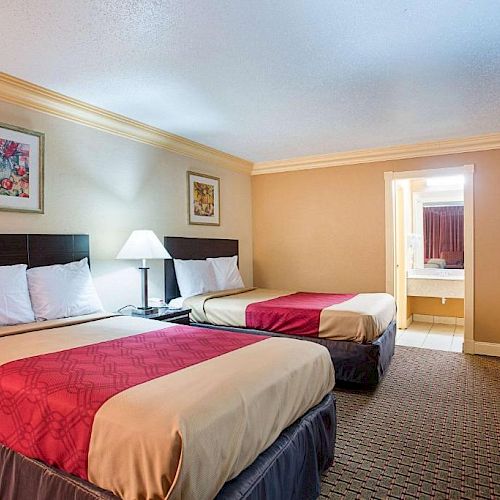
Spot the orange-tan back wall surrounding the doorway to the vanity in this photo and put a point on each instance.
(324, 230)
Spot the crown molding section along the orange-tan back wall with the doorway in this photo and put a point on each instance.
(433, 148)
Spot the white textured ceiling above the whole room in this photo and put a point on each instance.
(269, 79)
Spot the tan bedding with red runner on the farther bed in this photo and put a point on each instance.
(359, 317)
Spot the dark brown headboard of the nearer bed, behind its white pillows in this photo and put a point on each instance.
(42, 249)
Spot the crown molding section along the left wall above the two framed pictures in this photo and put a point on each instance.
(29, 95)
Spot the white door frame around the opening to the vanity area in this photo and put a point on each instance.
(468, 172)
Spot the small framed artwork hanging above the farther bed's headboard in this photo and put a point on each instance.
(203, 199)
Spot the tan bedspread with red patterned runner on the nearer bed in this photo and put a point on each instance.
(149, 409)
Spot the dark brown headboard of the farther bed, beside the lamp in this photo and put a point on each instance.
(192, 248)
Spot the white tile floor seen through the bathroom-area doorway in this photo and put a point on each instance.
(432, 336)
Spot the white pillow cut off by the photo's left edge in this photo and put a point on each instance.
(15, 305)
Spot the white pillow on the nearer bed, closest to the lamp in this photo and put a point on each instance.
(63, 291)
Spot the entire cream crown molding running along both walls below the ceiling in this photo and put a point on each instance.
(29, 95)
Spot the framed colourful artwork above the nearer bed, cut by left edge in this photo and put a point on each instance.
(21, 169)
